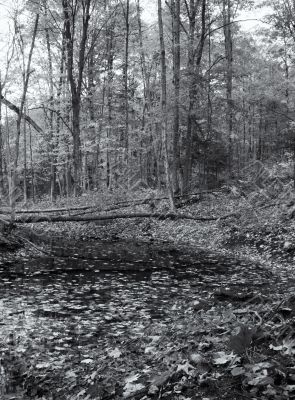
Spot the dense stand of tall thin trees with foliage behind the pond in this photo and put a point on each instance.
(96, 95)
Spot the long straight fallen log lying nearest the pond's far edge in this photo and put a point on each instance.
(89, 218)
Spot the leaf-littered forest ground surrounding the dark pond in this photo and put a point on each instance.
(235, 340)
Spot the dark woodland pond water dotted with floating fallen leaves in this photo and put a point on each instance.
(92, 296)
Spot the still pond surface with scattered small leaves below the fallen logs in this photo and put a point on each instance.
(103, 286)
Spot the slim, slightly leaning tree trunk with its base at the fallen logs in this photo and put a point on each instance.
(164, 116)
